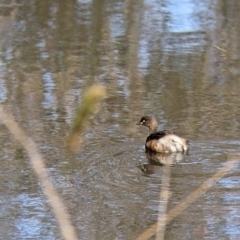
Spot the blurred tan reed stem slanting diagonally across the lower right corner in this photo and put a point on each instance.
(152, 230)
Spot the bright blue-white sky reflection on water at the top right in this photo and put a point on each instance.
(169, 26)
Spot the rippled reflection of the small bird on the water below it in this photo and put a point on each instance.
(160, 159)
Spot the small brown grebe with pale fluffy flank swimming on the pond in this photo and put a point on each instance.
(162, 141)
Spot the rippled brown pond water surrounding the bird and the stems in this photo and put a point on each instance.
(177, 60)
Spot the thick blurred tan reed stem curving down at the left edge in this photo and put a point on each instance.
(39, 168)
